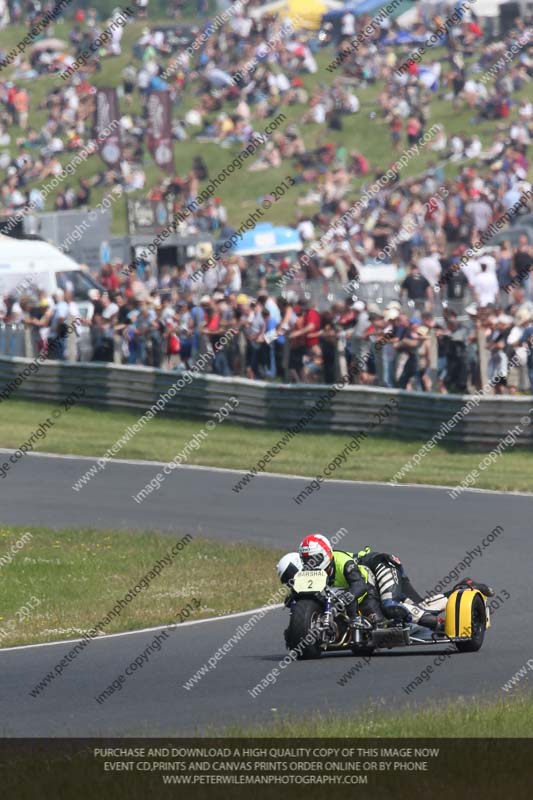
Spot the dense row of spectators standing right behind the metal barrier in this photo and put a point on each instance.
(156, 323)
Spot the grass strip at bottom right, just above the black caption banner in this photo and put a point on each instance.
(505, 717)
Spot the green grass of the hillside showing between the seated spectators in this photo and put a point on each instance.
(239, 194)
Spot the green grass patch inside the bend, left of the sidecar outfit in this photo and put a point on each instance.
(77, 577)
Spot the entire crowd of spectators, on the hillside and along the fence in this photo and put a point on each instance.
(257, 66)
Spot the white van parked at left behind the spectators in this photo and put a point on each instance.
(27, 265)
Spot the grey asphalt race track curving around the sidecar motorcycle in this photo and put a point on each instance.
(430, 531)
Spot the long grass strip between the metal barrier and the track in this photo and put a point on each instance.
(90, 431)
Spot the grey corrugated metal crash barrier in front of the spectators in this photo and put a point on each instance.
(347, 409)
